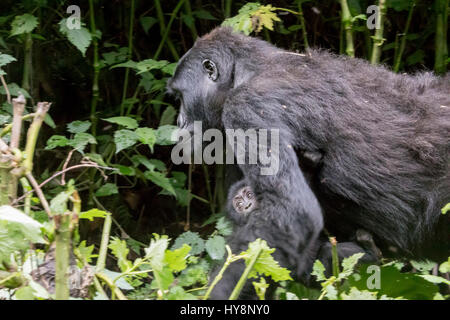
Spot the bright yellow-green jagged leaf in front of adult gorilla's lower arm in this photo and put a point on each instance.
(265, 264)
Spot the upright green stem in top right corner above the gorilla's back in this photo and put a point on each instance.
(441, 55)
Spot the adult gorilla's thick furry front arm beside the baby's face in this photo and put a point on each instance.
(289, 217)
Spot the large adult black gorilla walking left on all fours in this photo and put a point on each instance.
(384, 141)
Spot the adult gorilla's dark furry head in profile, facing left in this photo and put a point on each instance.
(206, 75)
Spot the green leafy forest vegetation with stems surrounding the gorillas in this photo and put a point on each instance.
(91, 189)
